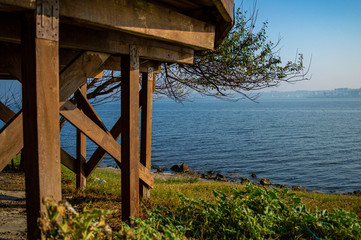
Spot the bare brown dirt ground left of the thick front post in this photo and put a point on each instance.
(12, 206)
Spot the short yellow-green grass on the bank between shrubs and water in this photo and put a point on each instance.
(165, 192)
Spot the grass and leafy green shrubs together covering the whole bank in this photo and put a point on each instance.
(195, 209)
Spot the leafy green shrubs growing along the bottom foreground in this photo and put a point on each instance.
(251, 213)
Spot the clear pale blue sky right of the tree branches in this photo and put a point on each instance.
(329, 31)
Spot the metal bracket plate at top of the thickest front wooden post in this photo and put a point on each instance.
(47, 19)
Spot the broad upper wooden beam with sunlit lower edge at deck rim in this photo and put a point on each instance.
(142, 18)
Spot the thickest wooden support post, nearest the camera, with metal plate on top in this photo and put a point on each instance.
(40, 74)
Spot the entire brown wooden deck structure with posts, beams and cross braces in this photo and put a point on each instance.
(53, 46)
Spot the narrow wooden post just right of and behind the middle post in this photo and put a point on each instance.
(146, 126)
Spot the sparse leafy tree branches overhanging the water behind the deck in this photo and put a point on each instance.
(245, 62)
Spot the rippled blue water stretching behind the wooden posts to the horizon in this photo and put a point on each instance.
(315, 143)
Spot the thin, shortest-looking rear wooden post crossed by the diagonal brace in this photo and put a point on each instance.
(81, 151)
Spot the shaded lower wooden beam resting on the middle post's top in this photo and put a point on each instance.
(113, 42)
